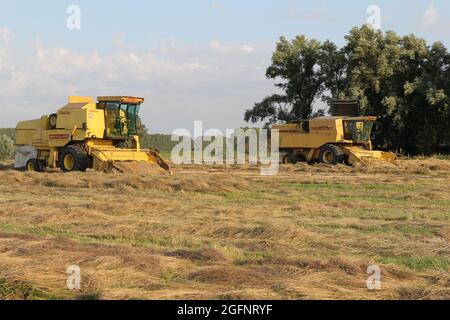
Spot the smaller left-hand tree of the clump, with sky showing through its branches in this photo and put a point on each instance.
(296, 66)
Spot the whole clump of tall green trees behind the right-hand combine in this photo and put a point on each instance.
(401, 79)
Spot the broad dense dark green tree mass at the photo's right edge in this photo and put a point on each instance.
(403, 81)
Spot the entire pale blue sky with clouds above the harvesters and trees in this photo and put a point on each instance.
(192, 59)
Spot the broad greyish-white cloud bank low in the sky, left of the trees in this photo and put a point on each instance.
(213, 82)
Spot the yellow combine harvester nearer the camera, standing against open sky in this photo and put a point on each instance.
(85, 134)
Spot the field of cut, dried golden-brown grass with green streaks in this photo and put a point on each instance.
(310, 232)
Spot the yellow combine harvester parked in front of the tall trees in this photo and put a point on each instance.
(330, 140)
